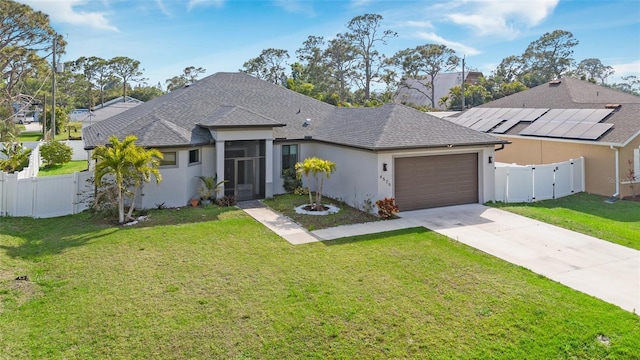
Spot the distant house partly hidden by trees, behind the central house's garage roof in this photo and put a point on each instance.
(414, 92)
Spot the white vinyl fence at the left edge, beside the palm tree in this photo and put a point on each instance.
(43, 197)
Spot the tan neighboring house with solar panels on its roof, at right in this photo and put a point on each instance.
(565, 119)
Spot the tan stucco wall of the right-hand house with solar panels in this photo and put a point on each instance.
(600, 173)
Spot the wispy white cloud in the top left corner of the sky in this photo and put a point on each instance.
(64, 11)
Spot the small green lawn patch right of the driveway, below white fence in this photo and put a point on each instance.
(589, 214)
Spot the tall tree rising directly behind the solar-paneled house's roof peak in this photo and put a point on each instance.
(549, 57)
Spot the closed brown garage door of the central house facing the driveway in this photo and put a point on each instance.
(432, 181)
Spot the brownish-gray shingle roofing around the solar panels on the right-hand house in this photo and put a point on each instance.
(577, 94)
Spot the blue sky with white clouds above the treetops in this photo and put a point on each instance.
(220, 35)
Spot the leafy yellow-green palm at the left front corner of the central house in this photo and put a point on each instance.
(127, 163)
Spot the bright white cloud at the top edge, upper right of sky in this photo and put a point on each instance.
(502, 18)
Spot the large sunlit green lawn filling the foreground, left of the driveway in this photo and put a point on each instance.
(213, 283)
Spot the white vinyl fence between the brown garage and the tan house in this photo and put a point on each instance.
(516, 183)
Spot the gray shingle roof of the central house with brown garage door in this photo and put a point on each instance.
(180, 118)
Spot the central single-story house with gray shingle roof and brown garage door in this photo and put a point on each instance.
(247, 131)
